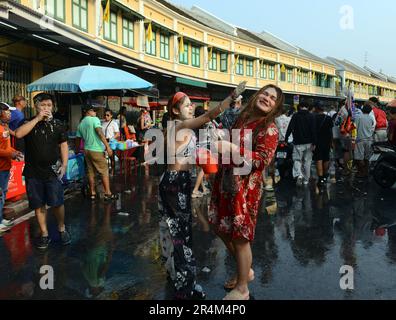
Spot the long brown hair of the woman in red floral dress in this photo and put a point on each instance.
(269, 118)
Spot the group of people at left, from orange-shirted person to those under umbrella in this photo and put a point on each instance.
(42, 143)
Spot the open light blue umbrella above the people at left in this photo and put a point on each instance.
(88, 78)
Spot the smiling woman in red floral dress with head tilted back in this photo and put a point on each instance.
(236, 198)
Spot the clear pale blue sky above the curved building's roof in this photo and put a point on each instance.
(356, 30)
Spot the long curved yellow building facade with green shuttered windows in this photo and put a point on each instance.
(160, 38)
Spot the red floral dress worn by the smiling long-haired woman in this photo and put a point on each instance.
(235, 199)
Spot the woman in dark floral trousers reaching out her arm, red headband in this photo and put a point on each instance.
(175, 194)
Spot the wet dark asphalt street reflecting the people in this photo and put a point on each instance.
(297, 253)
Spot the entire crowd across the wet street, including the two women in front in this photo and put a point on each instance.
(314, 132)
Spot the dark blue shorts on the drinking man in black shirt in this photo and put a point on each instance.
(44, 192)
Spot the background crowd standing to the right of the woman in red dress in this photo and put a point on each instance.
(346, 137)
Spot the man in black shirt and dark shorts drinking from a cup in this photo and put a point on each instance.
(45, 144)
